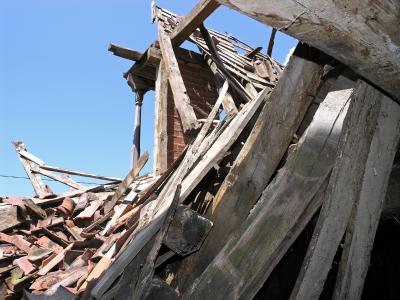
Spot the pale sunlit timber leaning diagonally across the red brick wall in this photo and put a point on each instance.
(181, 98)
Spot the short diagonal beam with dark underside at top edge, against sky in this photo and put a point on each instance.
(190, 22)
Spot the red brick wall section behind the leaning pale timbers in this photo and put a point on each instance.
(201, 90)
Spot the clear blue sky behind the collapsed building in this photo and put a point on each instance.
(62, 92)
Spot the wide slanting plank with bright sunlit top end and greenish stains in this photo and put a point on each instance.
(246, 261)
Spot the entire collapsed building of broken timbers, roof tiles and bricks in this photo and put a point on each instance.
(269, 181)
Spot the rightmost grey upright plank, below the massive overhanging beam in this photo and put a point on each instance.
(365, 217)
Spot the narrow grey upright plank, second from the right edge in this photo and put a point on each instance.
(343, 191)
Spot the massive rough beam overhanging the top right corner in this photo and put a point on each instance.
(360, 34)
